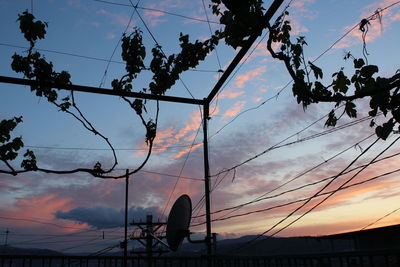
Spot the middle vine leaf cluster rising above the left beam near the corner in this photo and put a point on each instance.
(166, 70)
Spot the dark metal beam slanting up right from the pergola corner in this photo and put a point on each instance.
(267, 17)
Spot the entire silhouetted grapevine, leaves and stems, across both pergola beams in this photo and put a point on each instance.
(239, 19)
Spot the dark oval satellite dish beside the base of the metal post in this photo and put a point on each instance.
(178, 221)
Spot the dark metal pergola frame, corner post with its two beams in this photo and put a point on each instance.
(205, 102)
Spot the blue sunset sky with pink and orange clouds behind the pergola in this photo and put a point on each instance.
(262, 145)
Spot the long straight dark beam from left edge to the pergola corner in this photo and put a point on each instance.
(96, 90)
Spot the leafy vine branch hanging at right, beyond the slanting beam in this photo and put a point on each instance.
(343, 89)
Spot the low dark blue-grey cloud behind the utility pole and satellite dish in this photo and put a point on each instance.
(102, 217)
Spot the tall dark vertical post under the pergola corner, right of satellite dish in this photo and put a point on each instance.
(206, 110)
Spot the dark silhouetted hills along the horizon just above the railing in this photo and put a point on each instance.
(371, 239)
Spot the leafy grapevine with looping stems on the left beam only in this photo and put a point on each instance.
(34, 66)
